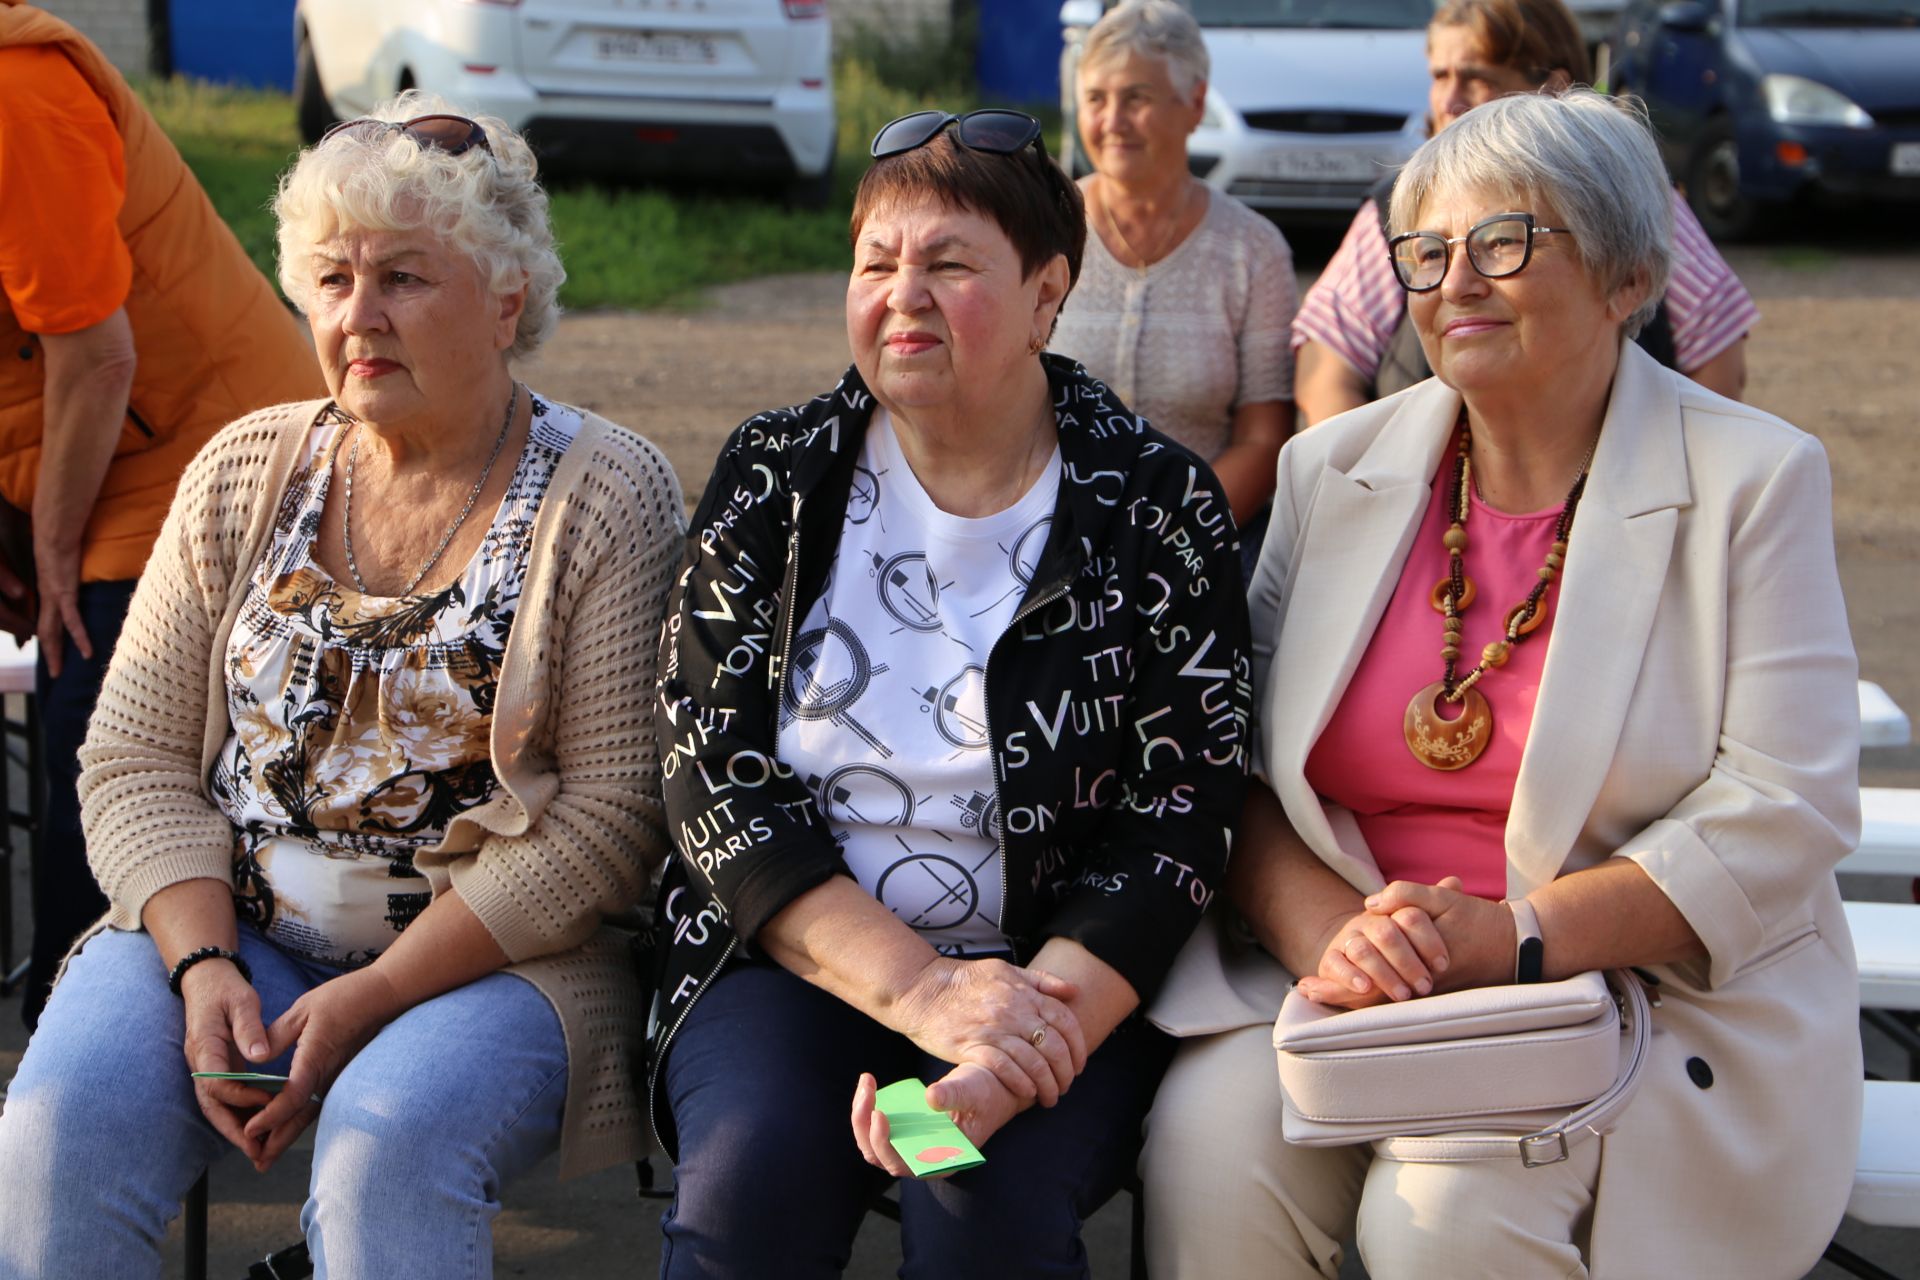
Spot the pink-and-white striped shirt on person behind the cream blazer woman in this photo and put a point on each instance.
(1356, 304)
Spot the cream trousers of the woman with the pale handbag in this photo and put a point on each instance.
(1230, 1200)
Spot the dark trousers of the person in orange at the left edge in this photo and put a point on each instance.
(66, 899)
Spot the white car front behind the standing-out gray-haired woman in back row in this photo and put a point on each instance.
(1310, 101)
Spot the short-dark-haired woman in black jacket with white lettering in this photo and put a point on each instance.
(953, 698)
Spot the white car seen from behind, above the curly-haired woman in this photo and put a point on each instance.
(711, 89)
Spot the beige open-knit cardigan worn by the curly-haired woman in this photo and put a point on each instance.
(575, 828)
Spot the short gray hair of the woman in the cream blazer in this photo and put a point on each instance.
(1591, 156)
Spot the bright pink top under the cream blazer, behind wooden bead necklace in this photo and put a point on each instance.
(1424, 824)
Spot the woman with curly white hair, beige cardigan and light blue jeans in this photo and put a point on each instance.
(372, 769)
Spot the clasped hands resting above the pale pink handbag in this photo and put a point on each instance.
(1410, 941)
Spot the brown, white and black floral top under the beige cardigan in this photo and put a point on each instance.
(360, 723)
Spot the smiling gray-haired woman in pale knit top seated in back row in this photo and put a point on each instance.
(1186, 298)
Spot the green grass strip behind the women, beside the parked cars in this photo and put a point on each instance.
(623, 249)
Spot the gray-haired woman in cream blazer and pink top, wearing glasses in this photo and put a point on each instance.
(1552, 676)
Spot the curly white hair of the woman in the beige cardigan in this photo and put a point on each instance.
(492, 210)
